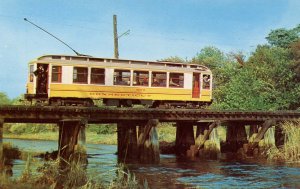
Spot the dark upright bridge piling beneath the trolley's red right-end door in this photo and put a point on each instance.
(184, 138)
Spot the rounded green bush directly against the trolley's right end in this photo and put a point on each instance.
(244, 92)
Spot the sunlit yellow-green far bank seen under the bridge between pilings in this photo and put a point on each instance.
(95, 134)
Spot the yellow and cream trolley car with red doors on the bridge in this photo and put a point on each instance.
(63, 80)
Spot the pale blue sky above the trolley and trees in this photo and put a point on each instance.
(158, 29)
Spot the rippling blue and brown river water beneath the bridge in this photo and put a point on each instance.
(173, 172)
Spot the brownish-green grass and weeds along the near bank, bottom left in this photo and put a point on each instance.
(49, 176)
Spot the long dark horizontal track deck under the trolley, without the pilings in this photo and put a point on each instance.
(51, 114)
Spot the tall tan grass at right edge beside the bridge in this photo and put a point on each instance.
(290, 151)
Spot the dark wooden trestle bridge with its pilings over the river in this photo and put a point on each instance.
(131, 142)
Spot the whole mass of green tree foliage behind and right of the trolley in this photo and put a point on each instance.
(268, 80)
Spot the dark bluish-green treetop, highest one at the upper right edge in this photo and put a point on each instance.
(283, 37)
